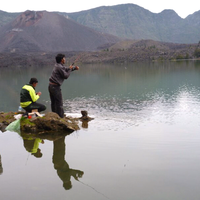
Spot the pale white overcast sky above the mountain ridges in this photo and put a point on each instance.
(182, 8)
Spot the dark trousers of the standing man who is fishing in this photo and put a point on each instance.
(56, 99)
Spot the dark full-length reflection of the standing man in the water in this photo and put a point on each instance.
(63, 170)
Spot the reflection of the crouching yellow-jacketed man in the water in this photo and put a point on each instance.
(32, 146)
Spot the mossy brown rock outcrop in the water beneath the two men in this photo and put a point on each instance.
(50, 123)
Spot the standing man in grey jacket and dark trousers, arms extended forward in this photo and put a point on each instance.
(59, 74)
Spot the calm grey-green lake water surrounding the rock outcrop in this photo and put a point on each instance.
(144, 143)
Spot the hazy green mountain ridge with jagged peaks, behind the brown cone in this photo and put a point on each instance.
(134, 22)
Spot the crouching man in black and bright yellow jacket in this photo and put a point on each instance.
(28, 97)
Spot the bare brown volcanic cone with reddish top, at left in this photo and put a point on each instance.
(44, 31)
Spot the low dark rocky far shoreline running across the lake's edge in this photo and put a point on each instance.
(143, 50)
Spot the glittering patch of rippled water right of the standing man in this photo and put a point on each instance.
(153, 107)
